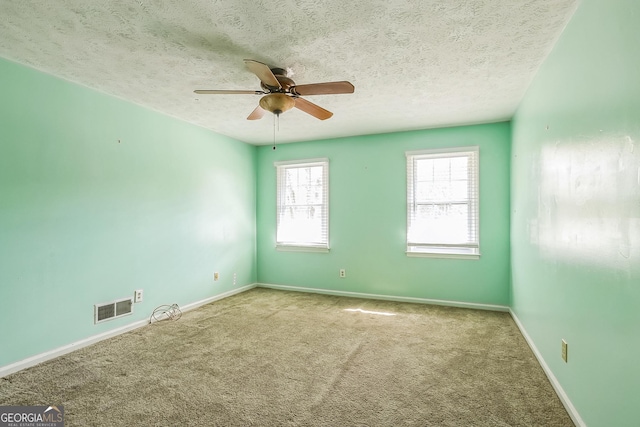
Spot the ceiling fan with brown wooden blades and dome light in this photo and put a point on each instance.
(281, 94)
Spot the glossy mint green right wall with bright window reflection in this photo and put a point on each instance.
(576, 211)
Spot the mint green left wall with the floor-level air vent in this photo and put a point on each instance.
(86, 219)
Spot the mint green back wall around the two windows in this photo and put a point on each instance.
(367, 222)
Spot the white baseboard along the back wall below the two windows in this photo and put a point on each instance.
(490, 307)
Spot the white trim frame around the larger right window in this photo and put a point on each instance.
(441, 250)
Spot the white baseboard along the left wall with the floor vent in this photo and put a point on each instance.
(52, 354)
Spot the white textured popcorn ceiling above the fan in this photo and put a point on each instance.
(415, 64)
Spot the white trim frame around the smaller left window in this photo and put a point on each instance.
(301, 247)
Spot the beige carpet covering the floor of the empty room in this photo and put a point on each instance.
(274, 358)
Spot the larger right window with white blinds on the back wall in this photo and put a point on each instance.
(442, 203)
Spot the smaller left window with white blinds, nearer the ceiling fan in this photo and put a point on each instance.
(303, 205)
